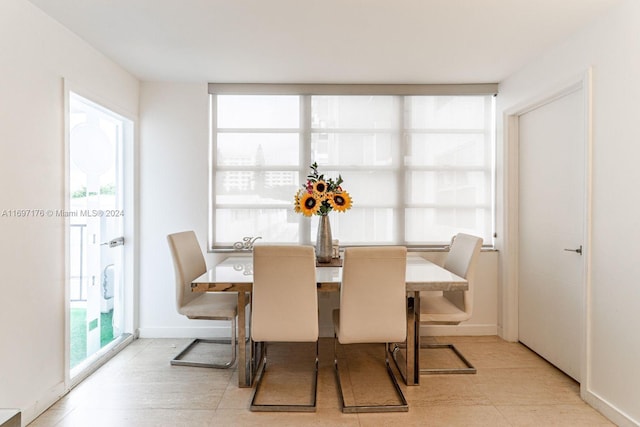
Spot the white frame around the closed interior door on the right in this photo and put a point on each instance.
(510, 265)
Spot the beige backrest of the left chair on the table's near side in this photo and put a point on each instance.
(285, 295)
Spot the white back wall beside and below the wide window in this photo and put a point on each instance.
(174, 189)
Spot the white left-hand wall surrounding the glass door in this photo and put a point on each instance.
(36, 54)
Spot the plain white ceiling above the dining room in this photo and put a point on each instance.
(324, 41)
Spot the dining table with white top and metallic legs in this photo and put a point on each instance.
(235, 274)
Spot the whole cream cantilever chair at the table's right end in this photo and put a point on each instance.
(453, 307)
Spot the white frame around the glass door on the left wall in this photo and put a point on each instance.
(130, 270)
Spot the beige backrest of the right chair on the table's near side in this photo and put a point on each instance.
(373, 304)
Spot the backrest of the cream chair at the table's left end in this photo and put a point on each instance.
(188, 264)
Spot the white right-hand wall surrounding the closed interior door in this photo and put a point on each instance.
(612, 47)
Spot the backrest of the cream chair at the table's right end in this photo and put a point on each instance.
(462, 260)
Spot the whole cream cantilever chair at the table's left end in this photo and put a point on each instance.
(189, 263)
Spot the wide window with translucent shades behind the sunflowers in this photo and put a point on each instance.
(418, 165)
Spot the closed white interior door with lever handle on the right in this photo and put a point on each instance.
(551, 230)
